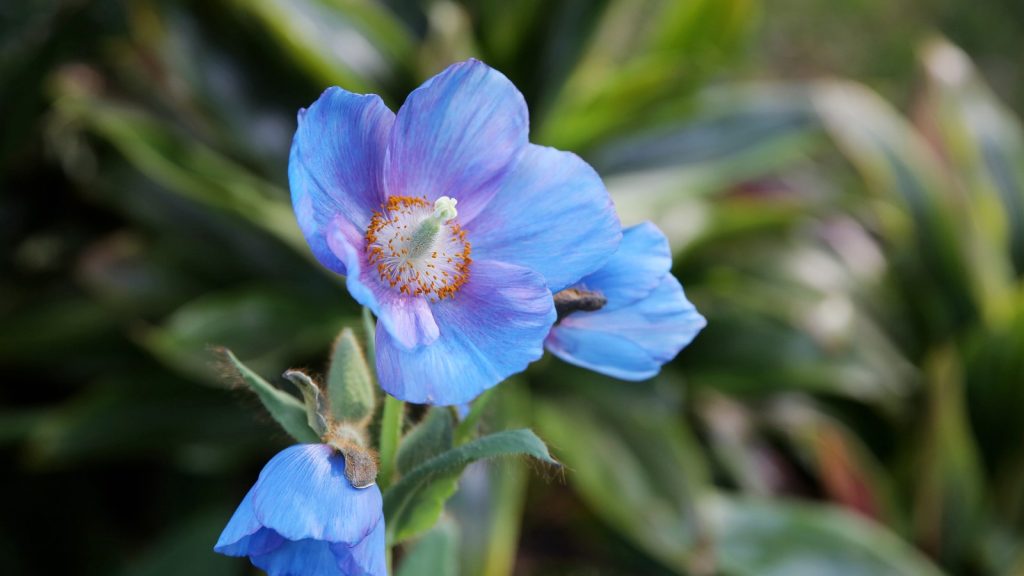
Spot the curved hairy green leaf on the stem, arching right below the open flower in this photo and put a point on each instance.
(414, 503)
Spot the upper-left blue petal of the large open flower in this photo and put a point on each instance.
(336, 166)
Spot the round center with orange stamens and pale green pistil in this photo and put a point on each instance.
(419, 251)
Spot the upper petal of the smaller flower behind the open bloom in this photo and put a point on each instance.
(637, 268)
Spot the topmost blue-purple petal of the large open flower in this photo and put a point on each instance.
(457, 136)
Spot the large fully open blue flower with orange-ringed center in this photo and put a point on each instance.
(450, 226)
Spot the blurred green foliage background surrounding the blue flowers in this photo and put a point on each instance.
(842, 182)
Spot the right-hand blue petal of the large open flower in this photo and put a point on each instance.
(552, 215)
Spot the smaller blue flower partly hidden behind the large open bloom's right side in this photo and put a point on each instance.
(644, 318)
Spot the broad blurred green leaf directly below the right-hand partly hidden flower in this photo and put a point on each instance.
(634, 464)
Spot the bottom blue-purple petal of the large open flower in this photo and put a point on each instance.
(493, 328)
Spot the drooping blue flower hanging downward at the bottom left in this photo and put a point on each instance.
(303, 518)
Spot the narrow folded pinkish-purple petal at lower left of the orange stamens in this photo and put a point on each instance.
(408, 319)
